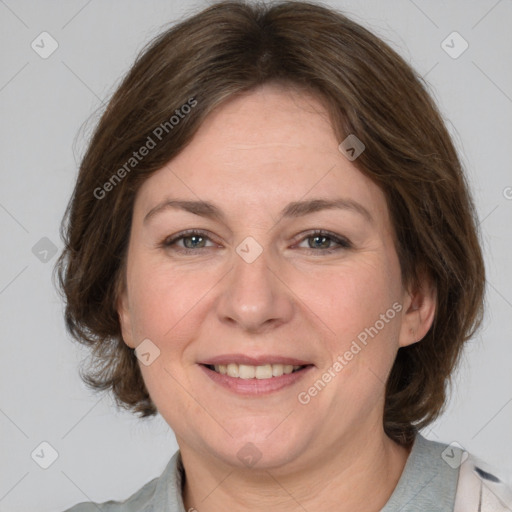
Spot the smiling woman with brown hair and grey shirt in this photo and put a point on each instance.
(271, 243)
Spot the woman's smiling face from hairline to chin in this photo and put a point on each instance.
(264, 280)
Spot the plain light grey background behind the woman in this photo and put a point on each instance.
(104, 453)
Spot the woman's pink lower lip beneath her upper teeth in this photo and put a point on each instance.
(255, 386)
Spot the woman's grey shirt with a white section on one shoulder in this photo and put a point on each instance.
(436, 478)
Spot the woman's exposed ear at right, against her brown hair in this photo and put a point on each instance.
(419, 307)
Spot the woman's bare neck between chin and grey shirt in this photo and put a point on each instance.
(356, 476)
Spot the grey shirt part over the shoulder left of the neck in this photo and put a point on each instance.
(161, 493)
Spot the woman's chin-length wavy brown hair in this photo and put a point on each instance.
(230, 48)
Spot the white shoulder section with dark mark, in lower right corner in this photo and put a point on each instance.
(481, 489)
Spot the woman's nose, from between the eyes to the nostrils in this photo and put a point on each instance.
(253, 296)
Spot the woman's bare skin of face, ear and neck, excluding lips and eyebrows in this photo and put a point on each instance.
(251, 157)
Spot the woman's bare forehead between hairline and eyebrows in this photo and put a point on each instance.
(265, 148)
